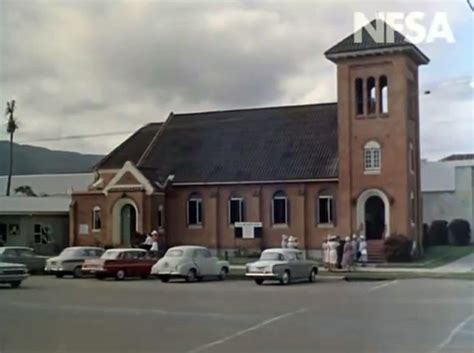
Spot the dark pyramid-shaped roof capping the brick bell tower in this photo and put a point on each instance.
(350, 46)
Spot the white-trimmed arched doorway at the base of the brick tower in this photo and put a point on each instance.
(373, 214)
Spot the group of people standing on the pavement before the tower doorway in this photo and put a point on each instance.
(345, 253)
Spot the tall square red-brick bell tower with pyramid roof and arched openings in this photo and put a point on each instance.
(378, 133)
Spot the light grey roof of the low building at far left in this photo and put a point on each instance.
(34, 205)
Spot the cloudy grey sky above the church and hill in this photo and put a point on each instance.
(109, 66)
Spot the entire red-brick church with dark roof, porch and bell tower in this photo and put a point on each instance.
(340, 168)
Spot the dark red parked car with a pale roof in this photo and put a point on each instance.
(120, 263)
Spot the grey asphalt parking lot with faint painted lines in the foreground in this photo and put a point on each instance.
(66, 315)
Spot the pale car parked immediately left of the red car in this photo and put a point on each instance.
(70, 261)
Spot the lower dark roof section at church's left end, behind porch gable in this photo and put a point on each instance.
(131, 149)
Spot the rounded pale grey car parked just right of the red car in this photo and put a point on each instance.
(191, 263)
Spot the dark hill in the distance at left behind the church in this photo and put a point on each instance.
(38, 160)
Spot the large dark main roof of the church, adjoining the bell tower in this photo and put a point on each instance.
(262, 144)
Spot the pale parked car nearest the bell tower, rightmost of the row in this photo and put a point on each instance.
(284, 265)
